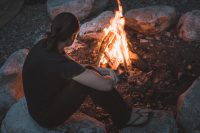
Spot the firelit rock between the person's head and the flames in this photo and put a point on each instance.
(94, 28)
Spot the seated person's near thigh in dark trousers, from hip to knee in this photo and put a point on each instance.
(64, 105)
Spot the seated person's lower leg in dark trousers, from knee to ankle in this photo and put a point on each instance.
(113, 103)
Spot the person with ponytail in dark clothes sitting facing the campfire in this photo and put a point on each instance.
(55, 85)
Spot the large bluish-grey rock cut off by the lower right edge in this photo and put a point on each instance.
(188, 111)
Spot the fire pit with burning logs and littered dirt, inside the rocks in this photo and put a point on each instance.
(153, 70)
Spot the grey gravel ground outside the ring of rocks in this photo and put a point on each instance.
(33, 20)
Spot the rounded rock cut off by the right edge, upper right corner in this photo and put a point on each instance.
(189, 26)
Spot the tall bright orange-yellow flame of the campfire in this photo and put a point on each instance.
(118, 53)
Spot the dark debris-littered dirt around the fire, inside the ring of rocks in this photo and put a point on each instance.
(167, 66)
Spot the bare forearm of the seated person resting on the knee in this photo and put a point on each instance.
(94, 80)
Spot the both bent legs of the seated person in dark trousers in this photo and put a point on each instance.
(70, 99)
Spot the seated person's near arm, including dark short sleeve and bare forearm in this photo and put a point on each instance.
(87, 77)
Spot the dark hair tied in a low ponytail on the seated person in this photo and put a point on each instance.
(64, 25)
